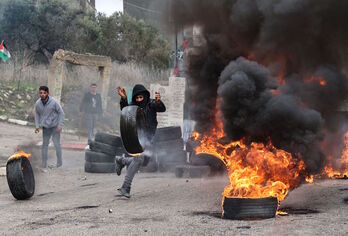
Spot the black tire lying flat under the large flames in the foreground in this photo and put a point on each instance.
(250, 208)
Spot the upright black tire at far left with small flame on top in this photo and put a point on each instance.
(20, 178)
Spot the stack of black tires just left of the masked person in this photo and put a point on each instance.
(101, 156)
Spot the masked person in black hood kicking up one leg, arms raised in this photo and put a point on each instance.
(150, 107)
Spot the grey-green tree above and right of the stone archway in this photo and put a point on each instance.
(123, 38)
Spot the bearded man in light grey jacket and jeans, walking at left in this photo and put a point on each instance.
(49, 114)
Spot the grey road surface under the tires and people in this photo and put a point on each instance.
(70, 202)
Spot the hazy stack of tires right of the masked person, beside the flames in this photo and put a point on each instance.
(169, 148)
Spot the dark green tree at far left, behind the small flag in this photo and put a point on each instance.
(37, 32)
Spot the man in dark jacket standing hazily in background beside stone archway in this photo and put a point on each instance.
(91, 109)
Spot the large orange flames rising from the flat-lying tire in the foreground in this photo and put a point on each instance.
(256, 170)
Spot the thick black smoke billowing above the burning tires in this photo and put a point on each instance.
(304, 42)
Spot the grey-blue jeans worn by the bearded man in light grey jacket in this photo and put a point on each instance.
(47, 133)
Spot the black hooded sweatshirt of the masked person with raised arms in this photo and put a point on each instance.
(149, 106)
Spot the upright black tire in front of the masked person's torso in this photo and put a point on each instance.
(132, 129)
